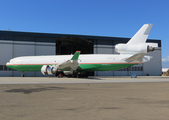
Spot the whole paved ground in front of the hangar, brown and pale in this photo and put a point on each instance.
(33, 99)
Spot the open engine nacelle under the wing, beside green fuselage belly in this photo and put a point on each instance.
(47, 69)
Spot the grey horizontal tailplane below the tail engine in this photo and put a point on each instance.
(136, 58)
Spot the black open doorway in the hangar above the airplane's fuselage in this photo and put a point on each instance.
(69, 45)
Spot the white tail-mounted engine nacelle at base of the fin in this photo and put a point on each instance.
(129, 48)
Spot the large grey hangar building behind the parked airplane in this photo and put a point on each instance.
(15, 44)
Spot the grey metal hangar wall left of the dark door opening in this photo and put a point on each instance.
(24, 46)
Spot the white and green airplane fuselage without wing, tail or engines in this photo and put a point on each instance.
(94, 62)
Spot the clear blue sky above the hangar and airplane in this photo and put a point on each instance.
(114, 18)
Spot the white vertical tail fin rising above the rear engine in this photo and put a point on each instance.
(141, 35)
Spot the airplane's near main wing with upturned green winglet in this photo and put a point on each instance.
(71, 64)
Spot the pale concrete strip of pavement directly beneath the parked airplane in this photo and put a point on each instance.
(50, 80)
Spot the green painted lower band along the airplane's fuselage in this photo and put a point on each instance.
(84, 67)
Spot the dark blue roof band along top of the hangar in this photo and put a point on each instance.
(55, 35)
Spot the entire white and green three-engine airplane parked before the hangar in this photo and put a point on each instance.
(131, 53)
